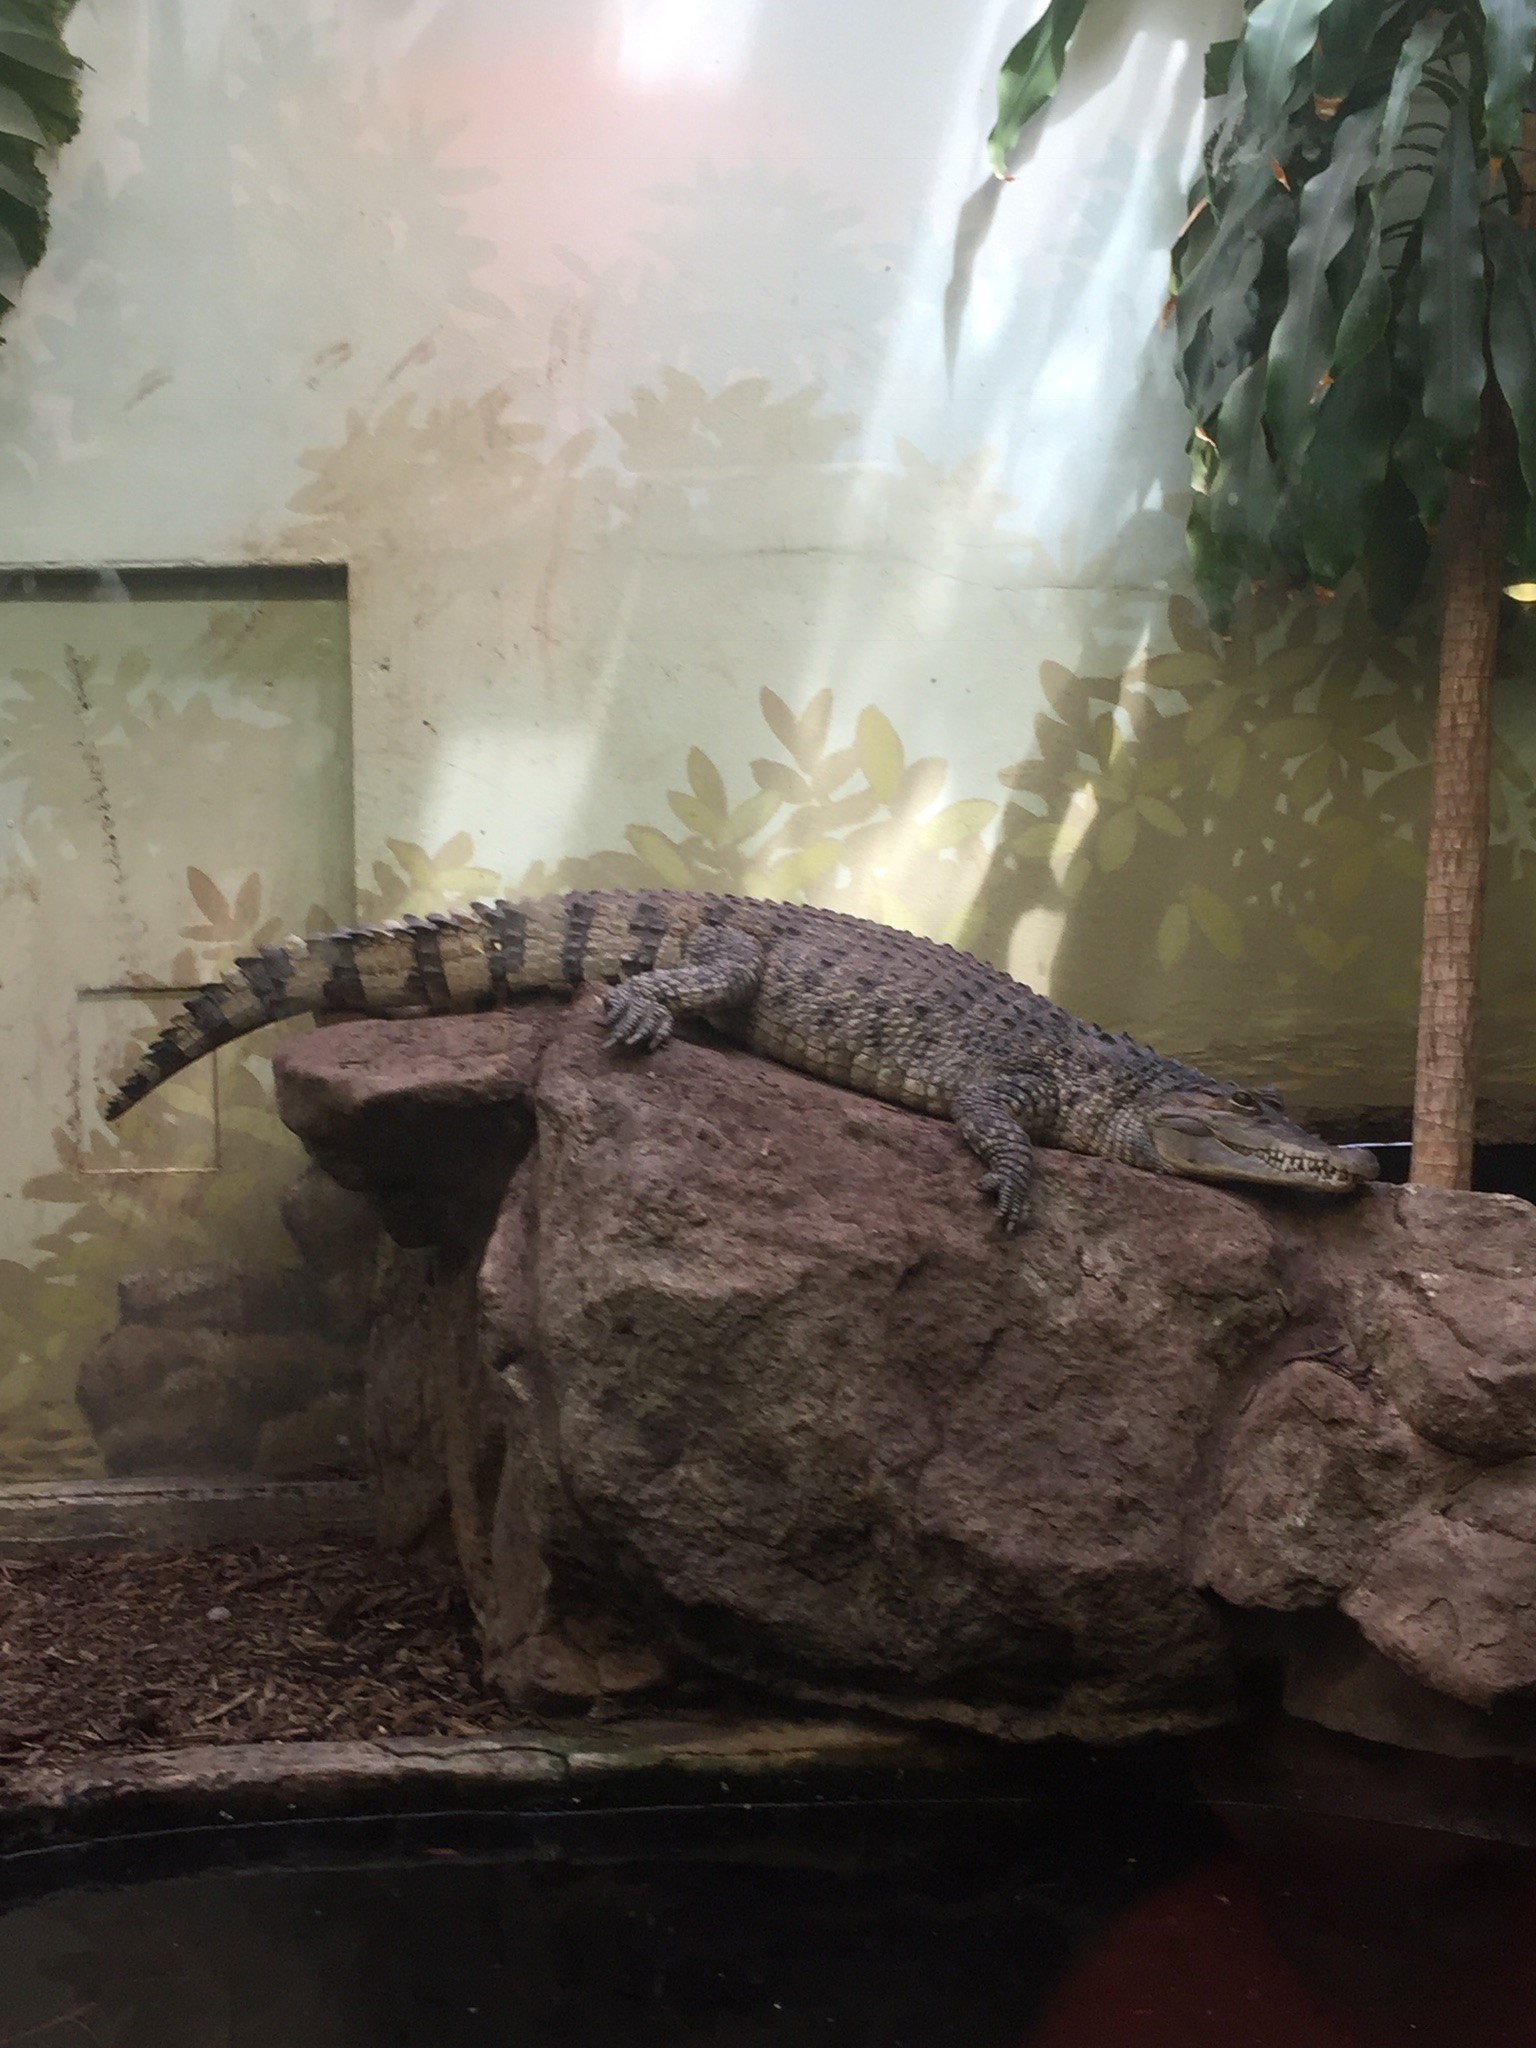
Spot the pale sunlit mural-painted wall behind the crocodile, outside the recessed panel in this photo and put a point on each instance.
(708, 519)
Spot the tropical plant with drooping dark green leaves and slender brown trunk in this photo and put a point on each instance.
(1355, 335)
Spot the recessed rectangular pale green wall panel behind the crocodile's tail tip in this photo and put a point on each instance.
(175, 790)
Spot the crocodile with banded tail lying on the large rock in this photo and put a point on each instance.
(853, 1002)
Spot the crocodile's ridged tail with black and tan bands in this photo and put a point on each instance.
(445, 964)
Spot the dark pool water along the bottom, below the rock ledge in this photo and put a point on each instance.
(1103, 1910)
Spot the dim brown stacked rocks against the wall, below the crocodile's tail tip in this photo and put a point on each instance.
(243, 1369)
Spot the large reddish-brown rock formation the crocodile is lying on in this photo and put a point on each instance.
(693, 1359)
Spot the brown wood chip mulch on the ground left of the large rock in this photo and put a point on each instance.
(318, 1641)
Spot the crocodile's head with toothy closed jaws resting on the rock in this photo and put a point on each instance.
(1244, 1136)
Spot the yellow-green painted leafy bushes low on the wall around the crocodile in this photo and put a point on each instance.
(1218, 830)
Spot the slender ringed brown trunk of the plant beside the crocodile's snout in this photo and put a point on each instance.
(1445, 1089)
